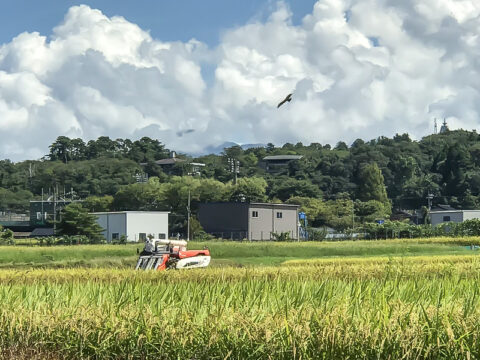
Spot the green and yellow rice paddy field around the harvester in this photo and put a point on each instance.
(393, 299)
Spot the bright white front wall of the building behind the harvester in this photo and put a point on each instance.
(154, 223)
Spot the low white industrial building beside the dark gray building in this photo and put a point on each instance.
(136, 225)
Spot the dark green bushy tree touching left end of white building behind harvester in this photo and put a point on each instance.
(75, 220)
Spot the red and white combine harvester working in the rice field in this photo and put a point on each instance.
(171, 254)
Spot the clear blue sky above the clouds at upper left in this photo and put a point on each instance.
(175, 20)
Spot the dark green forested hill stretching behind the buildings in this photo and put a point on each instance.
(446, 165)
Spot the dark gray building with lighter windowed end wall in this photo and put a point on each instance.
(252, 221)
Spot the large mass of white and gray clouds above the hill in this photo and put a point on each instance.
(358, 69)
